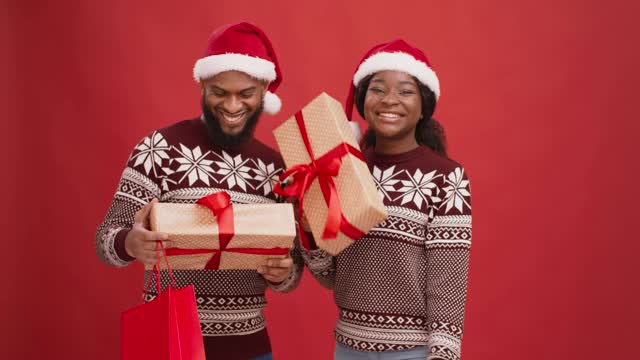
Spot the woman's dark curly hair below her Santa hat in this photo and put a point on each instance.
(429, 132)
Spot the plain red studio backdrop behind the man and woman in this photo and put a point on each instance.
(539, 102)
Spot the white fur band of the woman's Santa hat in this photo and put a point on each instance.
(398, 61)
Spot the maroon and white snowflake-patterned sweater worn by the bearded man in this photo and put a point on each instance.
(179, 164)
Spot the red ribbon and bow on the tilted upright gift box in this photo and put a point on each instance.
(324, 168)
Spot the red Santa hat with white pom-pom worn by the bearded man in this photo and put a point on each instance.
(242, 47)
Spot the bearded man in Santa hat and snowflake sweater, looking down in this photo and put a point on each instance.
(190, 159)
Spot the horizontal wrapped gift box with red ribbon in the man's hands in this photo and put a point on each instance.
(213, 234)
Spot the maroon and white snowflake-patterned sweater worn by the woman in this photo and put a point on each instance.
(404, 283)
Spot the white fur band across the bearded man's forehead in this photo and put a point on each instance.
(254, 66)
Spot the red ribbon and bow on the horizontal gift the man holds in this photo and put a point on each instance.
(220, 205)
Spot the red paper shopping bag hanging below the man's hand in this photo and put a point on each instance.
(166, 328)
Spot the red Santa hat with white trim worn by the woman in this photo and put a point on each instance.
(396, 55)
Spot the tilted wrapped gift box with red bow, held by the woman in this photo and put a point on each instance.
(330, 177)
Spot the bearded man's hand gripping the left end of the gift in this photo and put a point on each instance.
(140, 242)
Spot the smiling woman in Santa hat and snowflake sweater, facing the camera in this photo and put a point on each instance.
(401, 288)
